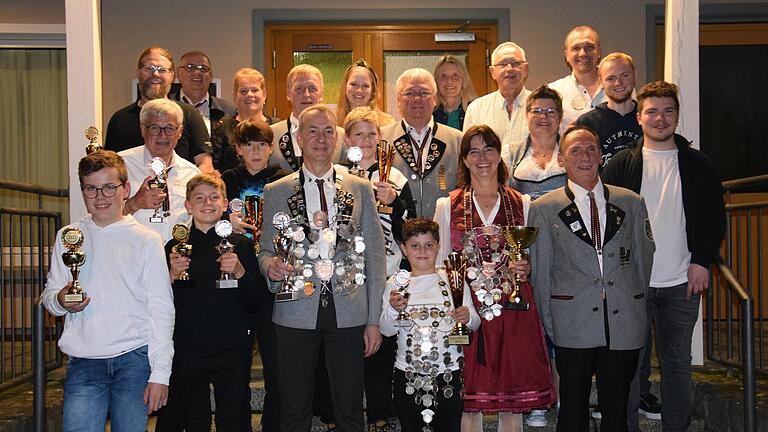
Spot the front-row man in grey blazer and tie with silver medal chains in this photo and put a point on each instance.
(329, 310)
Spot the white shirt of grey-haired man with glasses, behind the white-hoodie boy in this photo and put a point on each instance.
(137, 161)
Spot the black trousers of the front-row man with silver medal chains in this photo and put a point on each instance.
(298, 351)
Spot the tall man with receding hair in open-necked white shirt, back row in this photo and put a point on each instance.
(581, 90)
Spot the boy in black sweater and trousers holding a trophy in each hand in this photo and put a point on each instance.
(216, 287)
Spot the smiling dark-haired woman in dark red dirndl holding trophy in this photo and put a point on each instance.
(506, 366)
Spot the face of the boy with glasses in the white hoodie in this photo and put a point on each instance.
(105, 210)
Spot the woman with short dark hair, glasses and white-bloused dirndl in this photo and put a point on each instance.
(533, 162)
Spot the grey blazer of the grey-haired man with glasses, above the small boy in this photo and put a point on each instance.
(442, 162)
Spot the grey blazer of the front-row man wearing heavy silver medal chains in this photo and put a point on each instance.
(359, 308)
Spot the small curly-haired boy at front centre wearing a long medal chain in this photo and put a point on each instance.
(426, 307)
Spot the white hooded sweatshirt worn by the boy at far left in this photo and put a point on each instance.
(126, 277)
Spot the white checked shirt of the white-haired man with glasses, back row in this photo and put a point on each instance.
(491, 110)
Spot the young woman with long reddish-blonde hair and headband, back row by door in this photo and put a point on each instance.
(359, 87)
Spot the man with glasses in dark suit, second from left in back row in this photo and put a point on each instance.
(195, 76)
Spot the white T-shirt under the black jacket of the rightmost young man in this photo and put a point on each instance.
(664, 198)
